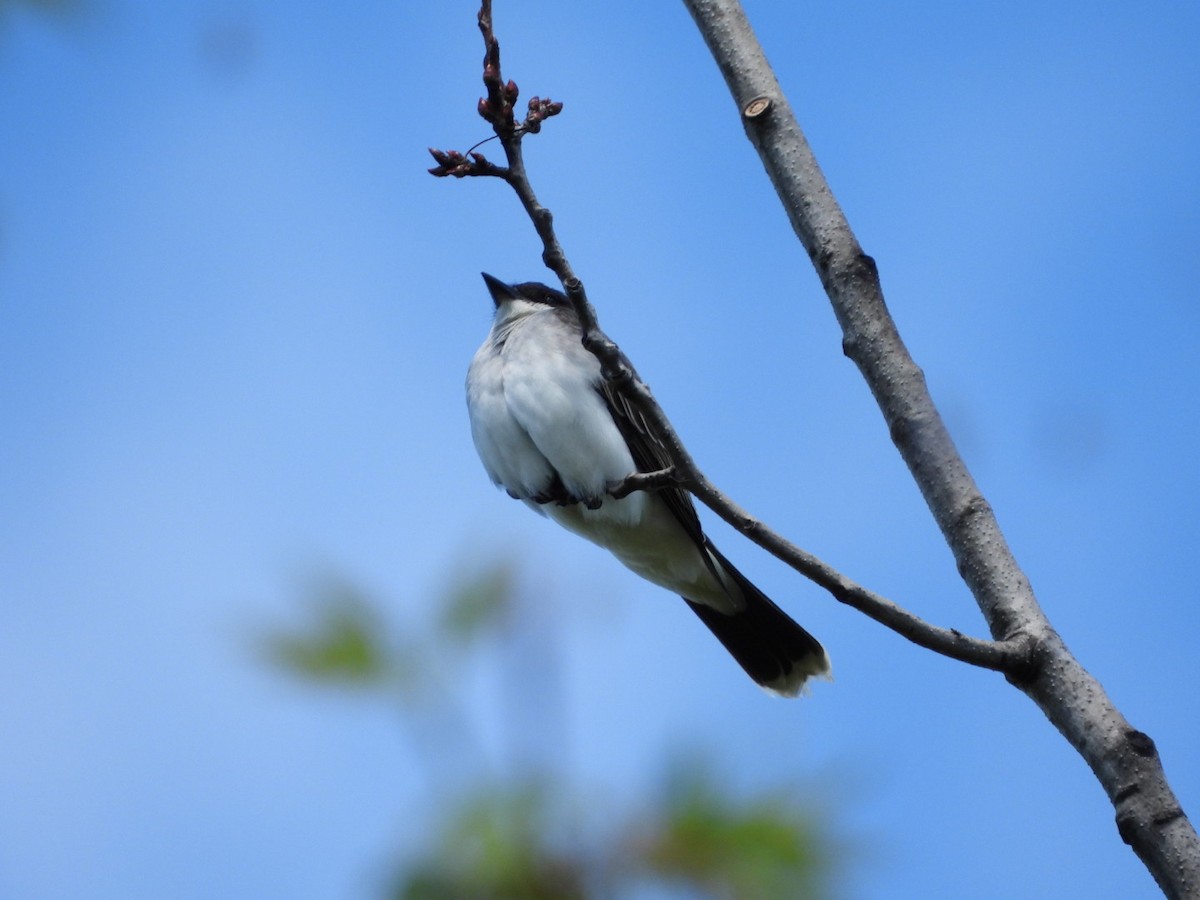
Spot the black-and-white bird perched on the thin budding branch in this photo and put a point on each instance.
(556, 435)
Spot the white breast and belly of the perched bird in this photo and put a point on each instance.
(536, 412)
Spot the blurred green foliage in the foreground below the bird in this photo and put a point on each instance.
(520, 842)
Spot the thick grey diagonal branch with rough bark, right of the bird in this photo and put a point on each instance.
(1125, 760)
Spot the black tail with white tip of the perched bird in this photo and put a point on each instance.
(775, 651)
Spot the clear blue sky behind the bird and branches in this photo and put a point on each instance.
(236, 317)
